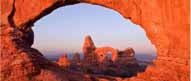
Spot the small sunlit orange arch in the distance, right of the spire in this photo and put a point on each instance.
(102, 53)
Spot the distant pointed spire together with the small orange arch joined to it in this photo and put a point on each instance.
(92, 52)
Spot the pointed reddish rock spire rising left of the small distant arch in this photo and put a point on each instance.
(88, 45)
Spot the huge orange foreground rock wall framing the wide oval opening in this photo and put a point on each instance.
(166, 23)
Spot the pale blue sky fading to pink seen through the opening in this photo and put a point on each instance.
(65, 28)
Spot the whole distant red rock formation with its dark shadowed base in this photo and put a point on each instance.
(105, 61)
